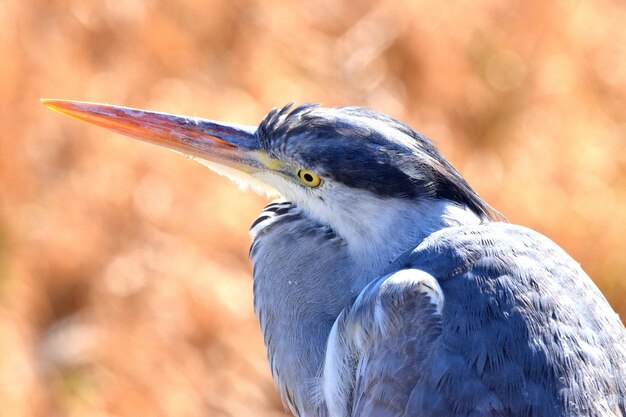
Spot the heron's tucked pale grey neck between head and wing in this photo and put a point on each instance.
(305, 273)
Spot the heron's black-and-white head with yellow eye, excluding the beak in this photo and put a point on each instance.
(357, 153)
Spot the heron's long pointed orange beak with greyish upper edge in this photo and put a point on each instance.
(230, 145)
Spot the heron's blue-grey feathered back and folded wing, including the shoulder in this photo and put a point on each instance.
(489, 320)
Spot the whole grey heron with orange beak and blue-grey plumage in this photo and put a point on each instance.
(384, 285)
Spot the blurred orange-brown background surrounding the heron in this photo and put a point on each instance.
(125, 288)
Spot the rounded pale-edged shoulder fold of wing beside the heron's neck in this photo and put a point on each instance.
(379, 344)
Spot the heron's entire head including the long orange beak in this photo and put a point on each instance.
(339, 163)
